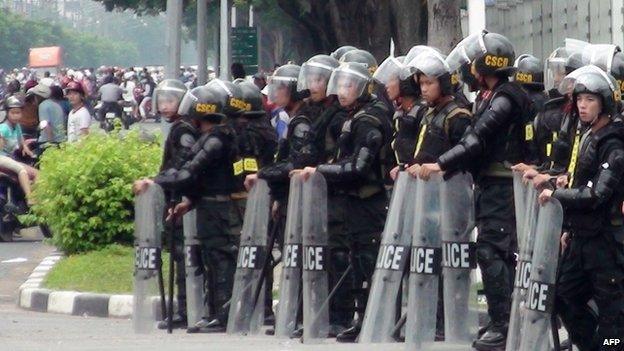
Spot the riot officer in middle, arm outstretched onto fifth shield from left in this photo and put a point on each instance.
(358, 175)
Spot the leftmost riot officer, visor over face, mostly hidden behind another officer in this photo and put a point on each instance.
(181, 137)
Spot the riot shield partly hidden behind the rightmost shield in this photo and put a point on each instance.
(523, 266)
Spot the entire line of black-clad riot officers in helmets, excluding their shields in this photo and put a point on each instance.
(358, 123)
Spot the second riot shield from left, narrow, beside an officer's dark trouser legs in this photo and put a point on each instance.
(195, 308)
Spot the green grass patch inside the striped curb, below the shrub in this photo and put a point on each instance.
(108, 270)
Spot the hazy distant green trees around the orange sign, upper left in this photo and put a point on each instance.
(87, 50)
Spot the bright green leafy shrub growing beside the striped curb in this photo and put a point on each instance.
(84, 190)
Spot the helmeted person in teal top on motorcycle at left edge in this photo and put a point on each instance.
(11, 140)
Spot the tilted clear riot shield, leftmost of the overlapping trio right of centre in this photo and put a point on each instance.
(381, 314)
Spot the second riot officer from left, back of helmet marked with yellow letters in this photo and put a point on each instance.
(207, 180)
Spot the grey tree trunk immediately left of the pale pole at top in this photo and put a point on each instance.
(444, 26)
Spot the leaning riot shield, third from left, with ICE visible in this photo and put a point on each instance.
(244, 317)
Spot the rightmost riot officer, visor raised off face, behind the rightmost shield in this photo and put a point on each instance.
(592, 262)
